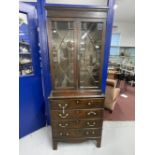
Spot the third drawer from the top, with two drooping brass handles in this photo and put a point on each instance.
(77, 124)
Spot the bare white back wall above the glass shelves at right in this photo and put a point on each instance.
(127, 31)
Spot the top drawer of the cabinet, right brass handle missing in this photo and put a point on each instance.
(77, 104)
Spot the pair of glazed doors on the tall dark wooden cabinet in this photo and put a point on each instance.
(76, 50)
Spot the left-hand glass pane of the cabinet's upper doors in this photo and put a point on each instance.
(63, 48)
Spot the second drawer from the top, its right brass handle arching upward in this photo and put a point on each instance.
(76, 114)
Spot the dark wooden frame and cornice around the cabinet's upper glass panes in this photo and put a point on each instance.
(77, 15)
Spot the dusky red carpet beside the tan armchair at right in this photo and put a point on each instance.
(124, 108)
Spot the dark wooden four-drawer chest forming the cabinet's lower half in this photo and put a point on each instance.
(76, 119)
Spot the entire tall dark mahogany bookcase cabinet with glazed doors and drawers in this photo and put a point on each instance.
(76, 43)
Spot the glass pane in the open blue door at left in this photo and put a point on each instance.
(25, 58)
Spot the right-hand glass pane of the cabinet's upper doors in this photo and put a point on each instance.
(90, 54)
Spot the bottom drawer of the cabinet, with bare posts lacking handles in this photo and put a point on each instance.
(74, 133)
